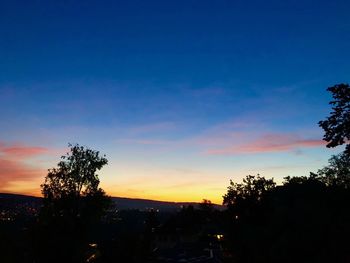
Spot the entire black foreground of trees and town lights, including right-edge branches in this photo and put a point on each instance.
(305, 219)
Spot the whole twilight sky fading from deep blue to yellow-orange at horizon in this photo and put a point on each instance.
(181, 96)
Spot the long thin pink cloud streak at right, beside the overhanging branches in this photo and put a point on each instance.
(269, 143)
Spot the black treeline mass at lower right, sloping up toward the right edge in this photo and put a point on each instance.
(306, 219)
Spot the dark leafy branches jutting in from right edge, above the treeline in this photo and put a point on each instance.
(337, 125)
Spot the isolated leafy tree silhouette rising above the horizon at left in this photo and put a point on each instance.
(73, 205)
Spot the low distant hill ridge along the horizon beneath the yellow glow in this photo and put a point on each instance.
(122, 203)
